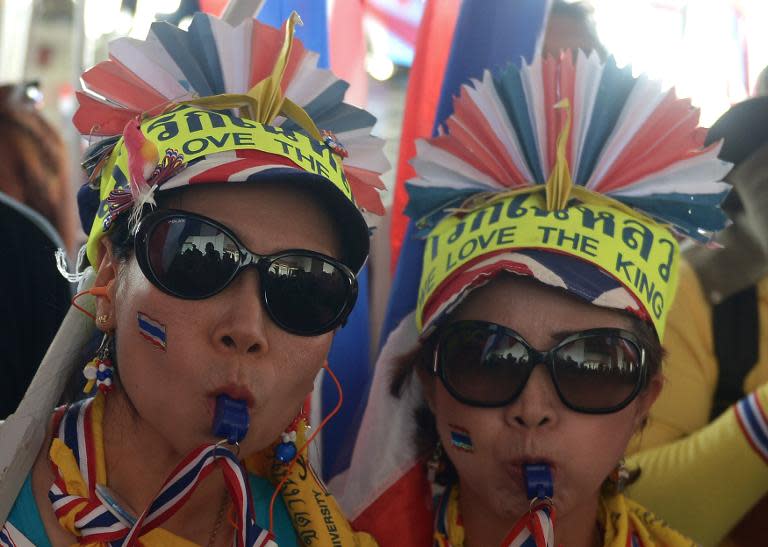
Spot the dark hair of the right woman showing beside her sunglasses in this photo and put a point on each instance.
(420, 361)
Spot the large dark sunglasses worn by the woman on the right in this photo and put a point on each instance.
(595, 371)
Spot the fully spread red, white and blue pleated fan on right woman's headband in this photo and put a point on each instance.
(623, 138)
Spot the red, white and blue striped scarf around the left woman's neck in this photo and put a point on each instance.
(85, 509)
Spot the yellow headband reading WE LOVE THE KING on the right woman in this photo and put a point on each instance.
(642, 255)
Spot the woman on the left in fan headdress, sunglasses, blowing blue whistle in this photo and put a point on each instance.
(224, 251)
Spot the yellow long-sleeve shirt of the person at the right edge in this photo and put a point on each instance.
(702, 478)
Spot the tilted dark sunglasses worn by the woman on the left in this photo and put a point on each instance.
(193, 257)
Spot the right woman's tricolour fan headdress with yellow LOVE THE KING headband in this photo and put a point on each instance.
(578, 158)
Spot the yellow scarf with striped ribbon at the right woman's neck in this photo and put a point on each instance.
(626, 524)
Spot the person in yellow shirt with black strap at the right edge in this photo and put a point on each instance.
(680, 450)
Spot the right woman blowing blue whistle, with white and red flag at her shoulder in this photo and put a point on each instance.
(533, 351)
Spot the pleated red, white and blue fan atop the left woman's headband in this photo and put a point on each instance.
(147, 77)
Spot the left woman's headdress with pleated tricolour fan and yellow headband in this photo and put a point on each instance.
(222, 104)
